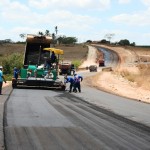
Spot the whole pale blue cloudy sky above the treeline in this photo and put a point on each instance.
(84, 19)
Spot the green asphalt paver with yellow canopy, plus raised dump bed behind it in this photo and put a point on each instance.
(37, 51)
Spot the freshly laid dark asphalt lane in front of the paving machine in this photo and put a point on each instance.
(37, 119)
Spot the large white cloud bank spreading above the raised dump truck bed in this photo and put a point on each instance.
(67, 22)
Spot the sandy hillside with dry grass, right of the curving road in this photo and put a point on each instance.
(131, 78)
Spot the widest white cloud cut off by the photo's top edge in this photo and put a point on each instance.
(70, 4)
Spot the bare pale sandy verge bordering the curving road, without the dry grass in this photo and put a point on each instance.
(115, 83)
